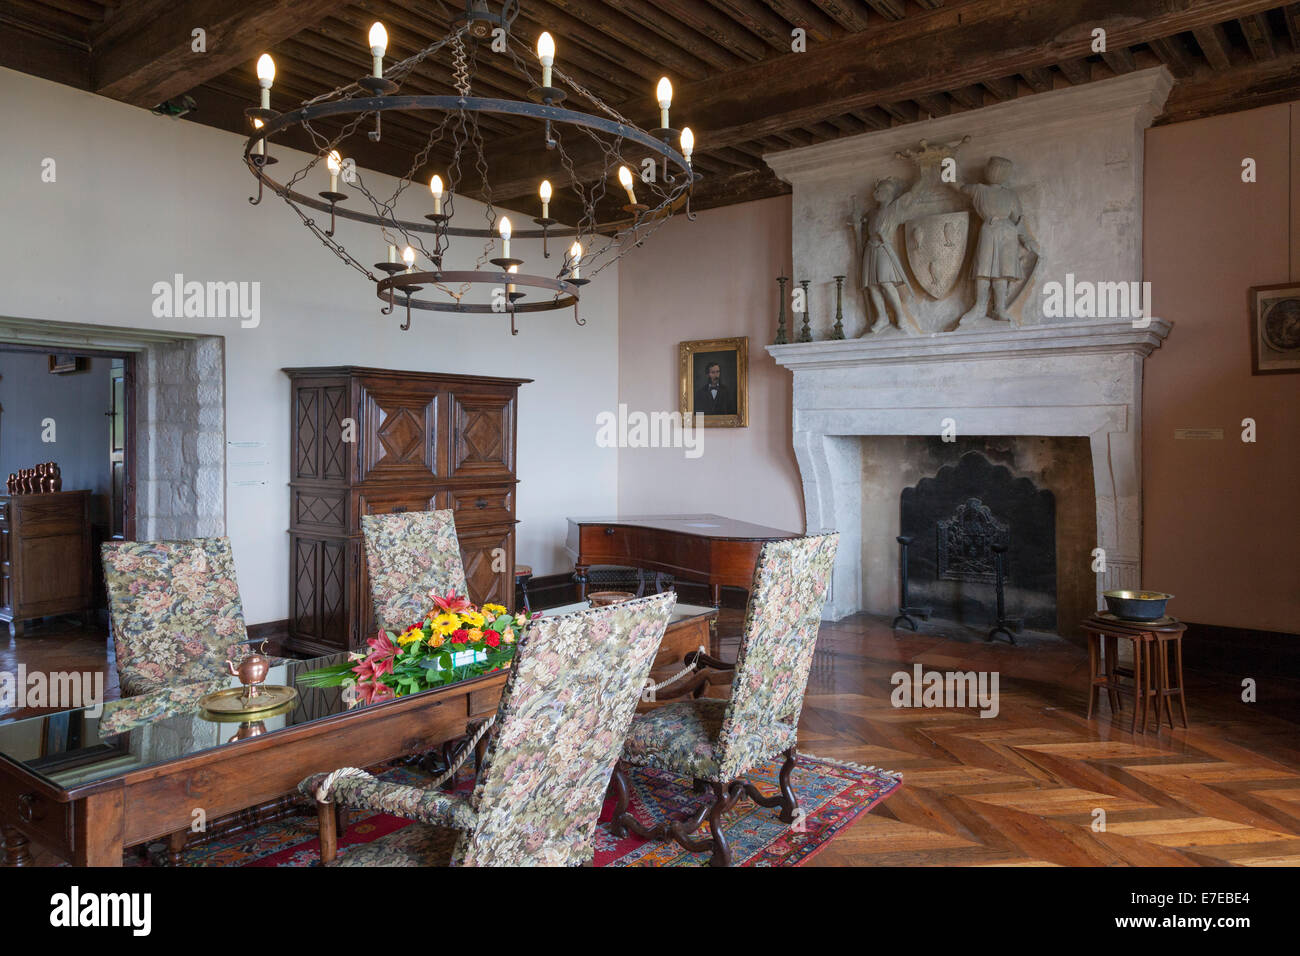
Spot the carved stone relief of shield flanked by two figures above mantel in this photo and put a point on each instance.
(939, 254)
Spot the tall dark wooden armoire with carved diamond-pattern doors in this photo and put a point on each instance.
(374, 442)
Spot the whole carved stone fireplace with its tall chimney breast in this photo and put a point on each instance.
(947, 369)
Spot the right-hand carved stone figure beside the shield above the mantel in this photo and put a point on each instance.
(998, 253)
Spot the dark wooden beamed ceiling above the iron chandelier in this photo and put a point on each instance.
(869, 66)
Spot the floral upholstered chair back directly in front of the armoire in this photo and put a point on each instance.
(409, 555)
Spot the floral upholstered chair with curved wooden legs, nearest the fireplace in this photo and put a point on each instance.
(718, 742)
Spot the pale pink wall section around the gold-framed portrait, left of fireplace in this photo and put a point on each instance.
(710, 279)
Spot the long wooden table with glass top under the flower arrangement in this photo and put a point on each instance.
(90, 803)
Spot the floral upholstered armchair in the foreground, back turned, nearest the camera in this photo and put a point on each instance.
(558, 732)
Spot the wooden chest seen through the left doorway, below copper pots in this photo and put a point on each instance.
(45, 556)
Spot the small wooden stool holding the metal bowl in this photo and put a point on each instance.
(1150, 671)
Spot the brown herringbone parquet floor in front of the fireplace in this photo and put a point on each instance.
(1028, 788)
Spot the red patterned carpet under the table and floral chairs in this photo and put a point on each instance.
(831, 797)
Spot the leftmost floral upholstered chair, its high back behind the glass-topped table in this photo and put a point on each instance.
(175, 609)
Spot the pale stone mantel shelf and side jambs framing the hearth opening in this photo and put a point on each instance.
(1073, 379)
